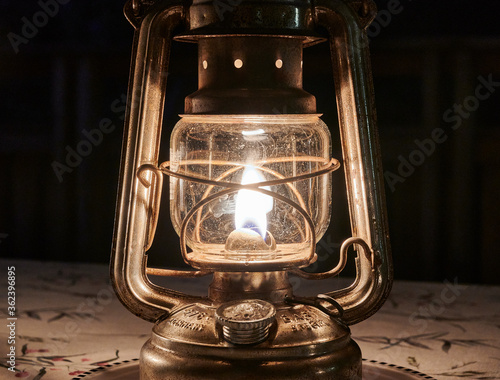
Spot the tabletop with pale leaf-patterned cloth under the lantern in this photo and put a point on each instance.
(70, 322)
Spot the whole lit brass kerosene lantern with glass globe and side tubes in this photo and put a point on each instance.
(250, 190)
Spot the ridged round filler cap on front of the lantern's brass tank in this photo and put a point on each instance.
(246, 321)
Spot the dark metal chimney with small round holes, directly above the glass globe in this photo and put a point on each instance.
(258, 86)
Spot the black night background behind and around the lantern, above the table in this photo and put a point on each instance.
(73, 73)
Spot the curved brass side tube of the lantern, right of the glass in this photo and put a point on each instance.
(361, 152)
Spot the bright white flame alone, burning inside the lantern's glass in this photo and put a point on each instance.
(252, 206)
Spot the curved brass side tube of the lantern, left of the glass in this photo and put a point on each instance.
(141, 141)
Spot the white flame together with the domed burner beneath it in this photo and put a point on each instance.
(250, 217)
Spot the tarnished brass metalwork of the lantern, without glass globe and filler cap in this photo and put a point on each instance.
(307, 340)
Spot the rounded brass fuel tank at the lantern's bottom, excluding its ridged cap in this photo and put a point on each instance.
(303, 343)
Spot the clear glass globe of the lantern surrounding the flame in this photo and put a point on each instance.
(259, 229)
